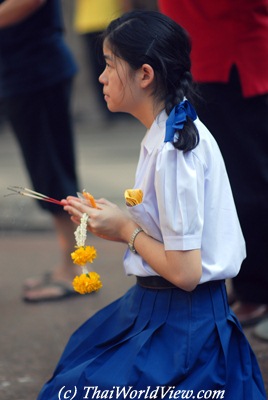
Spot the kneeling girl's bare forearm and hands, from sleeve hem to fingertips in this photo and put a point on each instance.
(182, 268)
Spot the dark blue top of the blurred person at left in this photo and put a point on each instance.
(33, 54)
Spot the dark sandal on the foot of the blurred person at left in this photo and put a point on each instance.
(66, 292)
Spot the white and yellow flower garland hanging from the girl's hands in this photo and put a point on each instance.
(87, 282)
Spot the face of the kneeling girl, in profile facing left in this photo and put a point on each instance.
(119, 86)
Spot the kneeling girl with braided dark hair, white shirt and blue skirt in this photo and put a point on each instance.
(173, 331)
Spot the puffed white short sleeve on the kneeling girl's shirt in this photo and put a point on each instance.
(179, 185)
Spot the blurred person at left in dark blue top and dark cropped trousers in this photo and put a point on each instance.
(36, 74)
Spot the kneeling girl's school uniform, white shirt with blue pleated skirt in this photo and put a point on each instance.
(158, 336)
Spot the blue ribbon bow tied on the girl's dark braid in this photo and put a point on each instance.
(177, 119)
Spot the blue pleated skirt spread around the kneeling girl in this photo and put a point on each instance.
(154, 343)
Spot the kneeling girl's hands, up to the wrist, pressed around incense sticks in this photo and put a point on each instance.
(106, 221)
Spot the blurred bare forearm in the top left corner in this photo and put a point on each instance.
(15, 11)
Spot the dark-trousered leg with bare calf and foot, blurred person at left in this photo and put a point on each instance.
(42, 124)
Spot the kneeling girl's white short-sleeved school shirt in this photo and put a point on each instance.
(187, 204)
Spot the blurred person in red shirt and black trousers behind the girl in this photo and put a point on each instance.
(230, 65)
